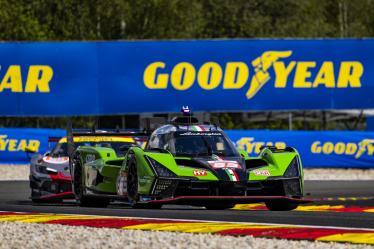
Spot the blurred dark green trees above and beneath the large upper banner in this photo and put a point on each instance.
(61, 20)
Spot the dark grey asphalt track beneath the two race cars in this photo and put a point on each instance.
(14, 197)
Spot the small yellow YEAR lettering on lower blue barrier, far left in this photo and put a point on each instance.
(14, 145)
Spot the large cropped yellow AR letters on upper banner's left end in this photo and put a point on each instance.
(37, 79)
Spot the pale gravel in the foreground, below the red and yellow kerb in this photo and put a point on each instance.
(25, 235)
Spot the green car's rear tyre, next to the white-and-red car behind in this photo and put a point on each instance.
(80, 197)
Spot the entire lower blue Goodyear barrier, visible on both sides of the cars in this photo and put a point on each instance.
(317, 149)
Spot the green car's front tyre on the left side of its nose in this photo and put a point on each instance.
(132, 187)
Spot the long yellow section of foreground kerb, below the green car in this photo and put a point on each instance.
(194, 227)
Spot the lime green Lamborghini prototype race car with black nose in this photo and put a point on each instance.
(186, 162)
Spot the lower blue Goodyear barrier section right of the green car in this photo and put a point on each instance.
(342, 149)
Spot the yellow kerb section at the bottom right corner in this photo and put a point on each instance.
(358, 238)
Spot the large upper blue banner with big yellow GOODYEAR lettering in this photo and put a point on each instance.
(90, 78)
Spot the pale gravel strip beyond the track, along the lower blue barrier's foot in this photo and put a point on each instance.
(21, 172)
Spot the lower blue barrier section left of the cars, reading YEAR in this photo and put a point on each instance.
(13, 143)
